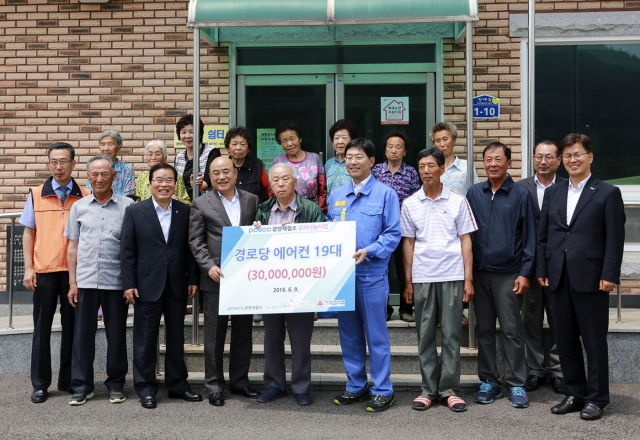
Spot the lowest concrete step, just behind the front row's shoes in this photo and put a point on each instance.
(338, 381)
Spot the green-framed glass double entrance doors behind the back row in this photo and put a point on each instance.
(317, 101)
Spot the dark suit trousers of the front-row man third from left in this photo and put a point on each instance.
(146, 323)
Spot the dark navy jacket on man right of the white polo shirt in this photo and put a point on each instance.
(506, 237)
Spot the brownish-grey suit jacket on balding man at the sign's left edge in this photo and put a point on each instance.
(208, 217)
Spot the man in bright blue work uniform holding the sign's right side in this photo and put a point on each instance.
(376, 211)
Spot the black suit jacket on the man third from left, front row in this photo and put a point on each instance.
(147, 259)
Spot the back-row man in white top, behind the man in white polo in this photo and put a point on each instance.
(444, 135)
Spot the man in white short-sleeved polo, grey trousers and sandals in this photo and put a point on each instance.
(437, 282)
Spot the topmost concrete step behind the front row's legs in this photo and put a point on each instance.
(325, 332)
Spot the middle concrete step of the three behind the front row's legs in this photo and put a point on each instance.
(326, 359)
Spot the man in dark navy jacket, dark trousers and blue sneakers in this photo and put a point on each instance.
(503, 259)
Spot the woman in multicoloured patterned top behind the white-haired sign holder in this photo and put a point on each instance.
(312, 182)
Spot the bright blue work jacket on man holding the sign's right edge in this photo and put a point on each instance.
(376, 211)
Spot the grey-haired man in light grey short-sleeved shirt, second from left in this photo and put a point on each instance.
(93, 255)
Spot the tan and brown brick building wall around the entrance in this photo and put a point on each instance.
(68, 71)
